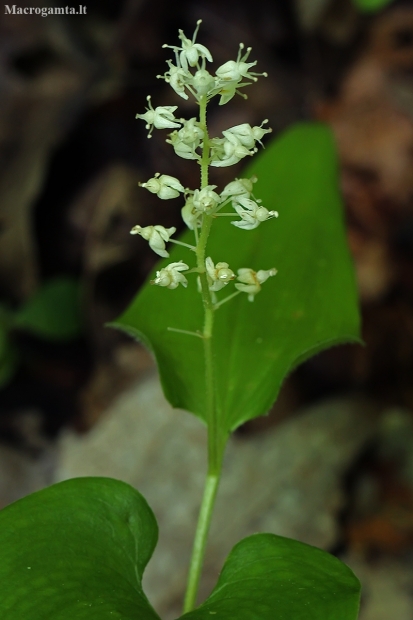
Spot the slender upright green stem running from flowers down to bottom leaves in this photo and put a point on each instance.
(215, 444)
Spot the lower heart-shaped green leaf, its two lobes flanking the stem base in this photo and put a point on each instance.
(79, 548)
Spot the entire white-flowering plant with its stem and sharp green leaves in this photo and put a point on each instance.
(80, 547)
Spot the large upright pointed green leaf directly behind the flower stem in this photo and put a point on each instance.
(309, 305)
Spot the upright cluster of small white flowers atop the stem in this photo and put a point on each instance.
(187, 74)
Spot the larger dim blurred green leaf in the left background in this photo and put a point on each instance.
(54, 310)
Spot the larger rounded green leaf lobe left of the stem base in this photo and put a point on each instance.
(76, 550)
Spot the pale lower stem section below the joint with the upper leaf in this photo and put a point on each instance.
(200, 540)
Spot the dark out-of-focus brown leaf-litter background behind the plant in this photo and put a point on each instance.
(77, 398)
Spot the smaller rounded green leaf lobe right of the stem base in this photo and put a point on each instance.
(268, 577)
